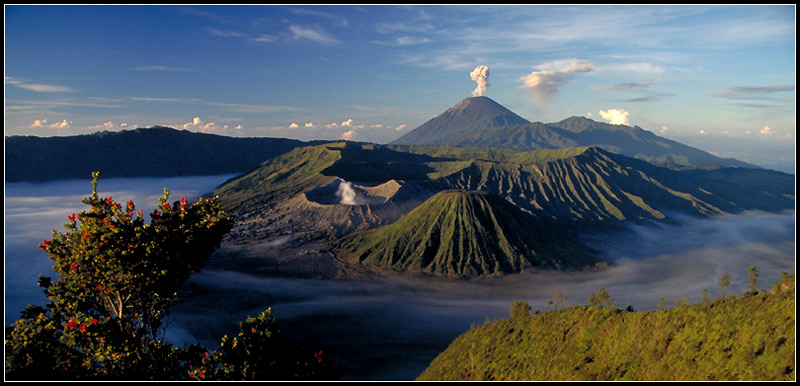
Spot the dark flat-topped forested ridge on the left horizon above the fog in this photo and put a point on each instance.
(143, 152)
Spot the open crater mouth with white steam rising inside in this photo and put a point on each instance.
(341, 192)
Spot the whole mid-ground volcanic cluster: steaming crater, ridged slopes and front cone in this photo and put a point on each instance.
(511, 194)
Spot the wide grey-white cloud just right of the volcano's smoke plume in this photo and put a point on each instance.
(546, 81)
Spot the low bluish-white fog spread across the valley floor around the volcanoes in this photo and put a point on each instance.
(393, 328)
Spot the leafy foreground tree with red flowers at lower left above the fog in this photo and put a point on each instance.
(117, 278)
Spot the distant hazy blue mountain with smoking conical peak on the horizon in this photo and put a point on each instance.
(480, 121)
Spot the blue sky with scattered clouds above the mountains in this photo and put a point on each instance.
(721, 78)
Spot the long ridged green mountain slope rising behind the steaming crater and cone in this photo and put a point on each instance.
(583, 185)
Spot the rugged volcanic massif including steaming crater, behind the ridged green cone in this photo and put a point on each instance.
(575, 186)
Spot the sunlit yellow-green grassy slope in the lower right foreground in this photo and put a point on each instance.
(748, 337)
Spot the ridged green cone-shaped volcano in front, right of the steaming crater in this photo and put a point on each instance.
(465, 234)
